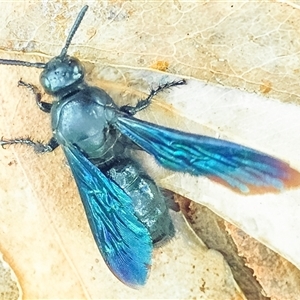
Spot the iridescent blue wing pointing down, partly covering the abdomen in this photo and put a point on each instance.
(122, 239)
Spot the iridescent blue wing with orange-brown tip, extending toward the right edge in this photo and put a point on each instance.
(240, 168)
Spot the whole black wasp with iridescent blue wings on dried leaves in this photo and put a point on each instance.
(127, 212)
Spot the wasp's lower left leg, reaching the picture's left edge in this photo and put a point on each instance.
(37, 146)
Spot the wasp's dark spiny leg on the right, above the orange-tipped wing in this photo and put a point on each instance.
(142, 104)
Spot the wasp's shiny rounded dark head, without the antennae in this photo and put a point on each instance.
(60, 74)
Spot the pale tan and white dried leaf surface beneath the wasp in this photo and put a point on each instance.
(236, 44)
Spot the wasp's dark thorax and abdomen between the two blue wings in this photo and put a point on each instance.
(83, 118)
